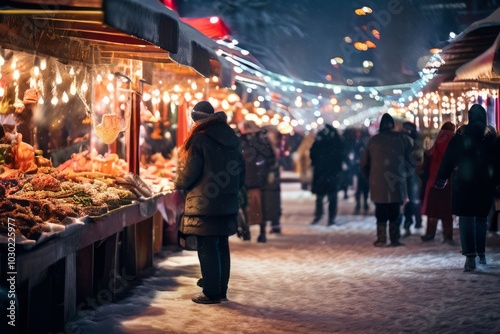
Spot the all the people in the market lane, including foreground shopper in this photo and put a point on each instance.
(232, 181)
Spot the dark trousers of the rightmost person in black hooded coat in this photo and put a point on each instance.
(473, 235)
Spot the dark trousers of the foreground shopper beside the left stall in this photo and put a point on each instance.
(215, 264)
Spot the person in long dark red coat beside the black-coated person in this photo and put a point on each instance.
(437, 202)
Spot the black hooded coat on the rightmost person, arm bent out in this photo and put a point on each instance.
(469, 159)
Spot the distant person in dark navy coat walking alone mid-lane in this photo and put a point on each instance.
(327, 154)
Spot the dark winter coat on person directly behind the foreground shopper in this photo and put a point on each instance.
(259, 156)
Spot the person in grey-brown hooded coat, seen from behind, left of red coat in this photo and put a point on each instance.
(386, 163)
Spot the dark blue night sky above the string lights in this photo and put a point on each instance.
(298, 38)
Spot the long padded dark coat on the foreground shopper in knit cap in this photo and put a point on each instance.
(212, 171)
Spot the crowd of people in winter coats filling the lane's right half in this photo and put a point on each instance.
(457, 176)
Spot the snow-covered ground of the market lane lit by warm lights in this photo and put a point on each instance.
(316, 280)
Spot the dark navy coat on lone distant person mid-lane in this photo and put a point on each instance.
(327, 154)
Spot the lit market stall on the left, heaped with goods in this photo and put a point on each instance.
(81, 217)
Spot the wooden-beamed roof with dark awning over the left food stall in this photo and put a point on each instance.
(117, 29)
